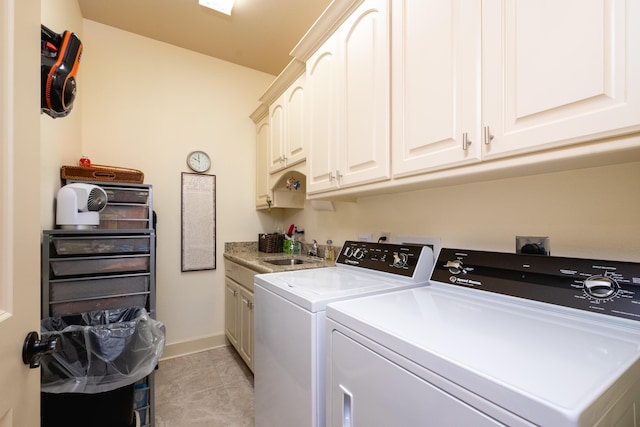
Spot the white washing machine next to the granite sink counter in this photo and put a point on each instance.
(289, 316)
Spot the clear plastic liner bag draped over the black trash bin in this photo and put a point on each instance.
(101, 351)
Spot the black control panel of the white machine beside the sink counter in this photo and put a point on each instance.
(403, 260)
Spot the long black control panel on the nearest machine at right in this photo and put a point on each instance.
(607, 287)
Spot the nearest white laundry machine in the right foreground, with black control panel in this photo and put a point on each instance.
(495, 339)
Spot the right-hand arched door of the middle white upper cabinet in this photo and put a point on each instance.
(363, 95)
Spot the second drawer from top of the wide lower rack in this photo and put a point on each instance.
(96, 266)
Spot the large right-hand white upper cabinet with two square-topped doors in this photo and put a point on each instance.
(483, 80)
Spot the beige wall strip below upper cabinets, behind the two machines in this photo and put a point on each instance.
(586, 213)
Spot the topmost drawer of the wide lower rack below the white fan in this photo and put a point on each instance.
(100, 245)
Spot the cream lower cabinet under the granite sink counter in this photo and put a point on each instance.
(238, 306)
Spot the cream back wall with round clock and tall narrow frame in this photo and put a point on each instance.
(146, 105)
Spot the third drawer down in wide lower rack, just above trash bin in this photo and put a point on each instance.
(66, 290)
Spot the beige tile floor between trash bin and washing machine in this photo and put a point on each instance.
(208, 389)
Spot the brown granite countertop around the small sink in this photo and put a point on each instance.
(247, 254)
